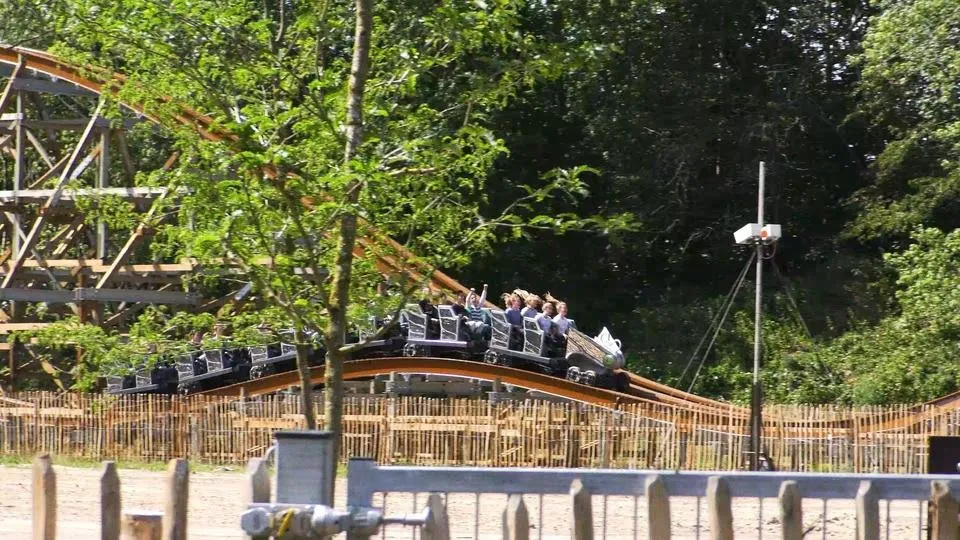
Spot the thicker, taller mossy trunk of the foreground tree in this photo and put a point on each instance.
(340, 297)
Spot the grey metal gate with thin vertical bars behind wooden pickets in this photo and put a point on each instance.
(750, 504)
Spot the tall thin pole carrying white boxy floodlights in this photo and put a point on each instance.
(757, 234)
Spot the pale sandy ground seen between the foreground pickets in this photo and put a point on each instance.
(215, 507)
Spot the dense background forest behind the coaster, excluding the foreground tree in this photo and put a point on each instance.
(667, 107)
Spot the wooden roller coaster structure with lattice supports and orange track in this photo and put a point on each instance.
(58, 157)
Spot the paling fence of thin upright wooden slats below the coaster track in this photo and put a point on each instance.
(451, 431)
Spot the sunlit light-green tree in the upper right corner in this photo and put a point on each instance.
(911, 64)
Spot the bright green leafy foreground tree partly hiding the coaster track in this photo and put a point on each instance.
(289, 194)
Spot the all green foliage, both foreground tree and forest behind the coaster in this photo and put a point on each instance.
(503, 135)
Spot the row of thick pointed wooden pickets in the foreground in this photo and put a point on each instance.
(172, 522)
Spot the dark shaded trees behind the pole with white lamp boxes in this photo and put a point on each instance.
(675, 103)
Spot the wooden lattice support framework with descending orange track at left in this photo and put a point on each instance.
(57, 146)
